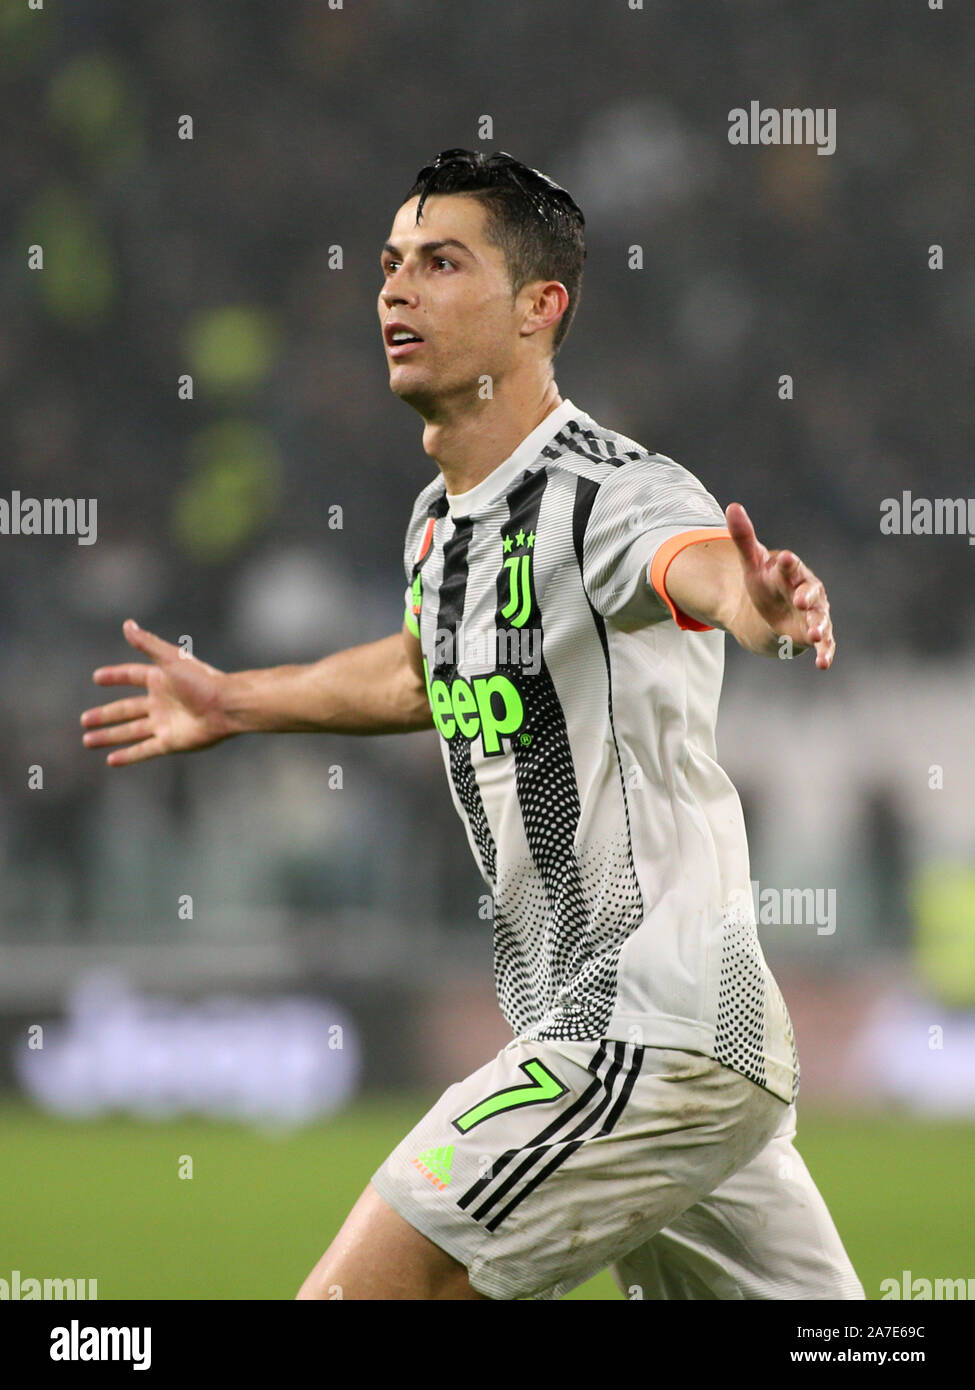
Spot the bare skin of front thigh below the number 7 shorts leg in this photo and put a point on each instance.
(379, 1256)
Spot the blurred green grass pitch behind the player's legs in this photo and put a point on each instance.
(102, 1199)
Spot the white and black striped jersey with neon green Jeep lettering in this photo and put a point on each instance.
(577, 708)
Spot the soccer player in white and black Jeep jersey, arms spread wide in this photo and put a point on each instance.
(568, 596)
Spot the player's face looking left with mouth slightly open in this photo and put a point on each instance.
(447, 287)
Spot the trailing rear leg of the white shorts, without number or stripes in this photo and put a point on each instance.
(764, 1234)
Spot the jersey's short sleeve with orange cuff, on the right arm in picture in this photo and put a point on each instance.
(645, 515)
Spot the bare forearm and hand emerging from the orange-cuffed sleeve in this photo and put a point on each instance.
(755, 594)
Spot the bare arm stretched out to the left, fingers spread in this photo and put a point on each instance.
(378, 689)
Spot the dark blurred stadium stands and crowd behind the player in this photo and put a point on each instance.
(337, 868)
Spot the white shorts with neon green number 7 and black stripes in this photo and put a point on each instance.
(558, 1160)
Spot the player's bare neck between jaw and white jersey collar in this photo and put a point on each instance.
(468, 444)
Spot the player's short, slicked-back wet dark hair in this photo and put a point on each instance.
(533, 222)
